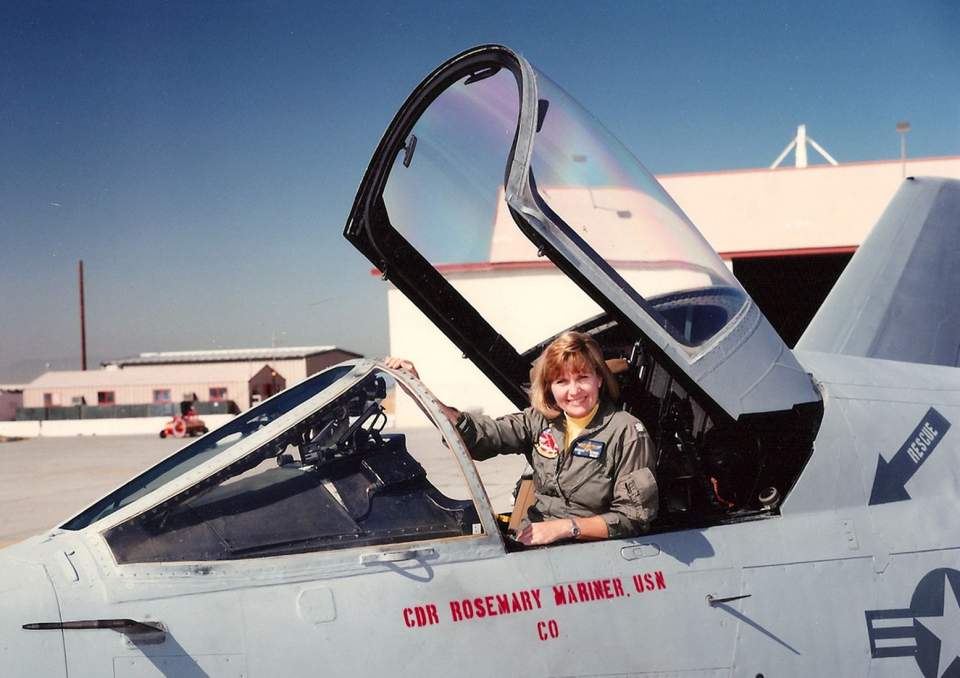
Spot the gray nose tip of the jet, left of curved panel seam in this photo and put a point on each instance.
(27, 596)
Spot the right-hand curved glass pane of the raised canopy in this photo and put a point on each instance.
(614, 205)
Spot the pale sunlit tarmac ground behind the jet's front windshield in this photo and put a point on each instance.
(45, 481)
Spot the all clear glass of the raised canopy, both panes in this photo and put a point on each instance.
(445, 195)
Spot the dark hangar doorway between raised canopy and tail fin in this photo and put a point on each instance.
(789, 288)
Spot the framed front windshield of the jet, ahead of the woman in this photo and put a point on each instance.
(329, 473)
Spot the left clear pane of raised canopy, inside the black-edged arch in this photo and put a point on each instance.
(446, 198)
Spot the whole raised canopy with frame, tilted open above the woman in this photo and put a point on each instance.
(491, 162)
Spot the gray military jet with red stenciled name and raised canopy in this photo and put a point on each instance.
(807, 498)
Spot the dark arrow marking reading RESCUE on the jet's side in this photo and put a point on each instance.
(892, 476)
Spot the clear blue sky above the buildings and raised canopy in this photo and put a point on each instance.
(201, 157)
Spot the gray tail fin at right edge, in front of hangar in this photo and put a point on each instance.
(899, 297)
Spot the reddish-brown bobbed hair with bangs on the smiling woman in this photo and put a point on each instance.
(571, 350)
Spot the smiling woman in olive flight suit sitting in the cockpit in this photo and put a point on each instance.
(592, 463)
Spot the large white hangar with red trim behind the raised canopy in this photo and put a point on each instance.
(786, 233)
